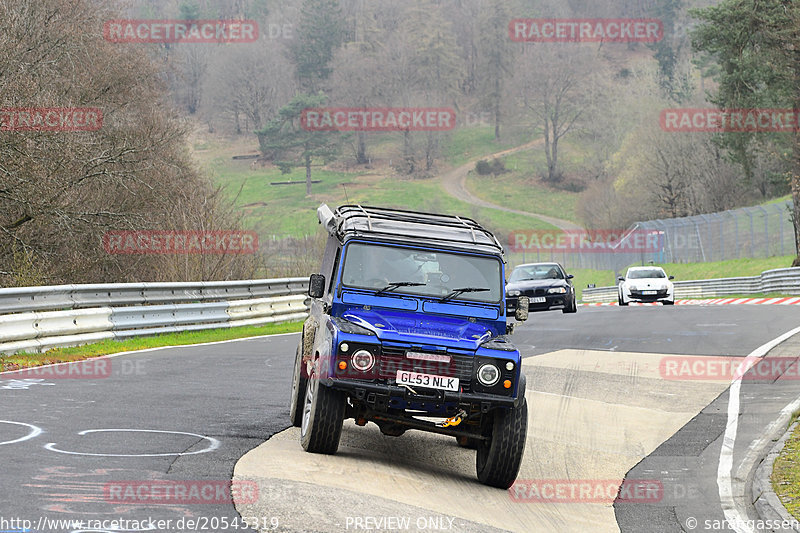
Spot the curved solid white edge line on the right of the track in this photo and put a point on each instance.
(733, 512)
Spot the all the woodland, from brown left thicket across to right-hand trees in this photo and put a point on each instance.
(60, 193)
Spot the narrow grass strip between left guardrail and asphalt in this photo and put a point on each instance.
(79, 353)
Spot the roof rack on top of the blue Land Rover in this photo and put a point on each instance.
(459, 232)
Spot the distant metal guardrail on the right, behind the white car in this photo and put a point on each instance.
(781, 280)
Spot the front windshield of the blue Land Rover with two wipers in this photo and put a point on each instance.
(399, 270)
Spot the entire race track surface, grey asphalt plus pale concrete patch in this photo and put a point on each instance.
(187, 415)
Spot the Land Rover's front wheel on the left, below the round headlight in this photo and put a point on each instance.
(323, 415)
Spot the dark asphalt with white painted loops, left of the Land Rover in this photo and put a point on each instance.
(232, 392)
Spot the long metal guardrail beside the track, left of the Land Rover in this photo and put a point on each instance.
(41, 318)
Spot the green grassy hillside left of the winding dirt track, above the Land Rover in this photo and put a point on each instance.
(285, 210)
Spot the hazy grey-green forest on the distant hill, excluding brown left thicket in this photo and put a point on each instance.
(605, 97)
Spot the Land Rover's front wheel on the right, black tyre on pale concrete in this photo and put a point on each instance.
(498, 460)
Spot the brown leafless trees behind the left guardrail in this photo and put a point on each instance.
(61, 191)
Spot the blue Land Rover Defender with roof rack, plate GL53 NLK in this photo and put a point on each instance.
(408, 330)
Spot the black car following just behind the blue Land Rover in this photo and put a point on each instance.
(545, 284)
